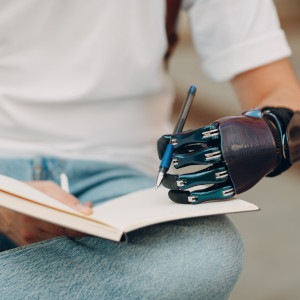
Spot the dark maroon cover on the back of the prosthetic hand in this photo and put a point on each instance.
(248, 148)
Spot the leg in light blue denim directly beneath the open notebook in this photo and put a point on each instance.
(192, 259)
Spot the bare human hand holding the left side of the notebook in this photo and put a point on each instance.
(23, 230)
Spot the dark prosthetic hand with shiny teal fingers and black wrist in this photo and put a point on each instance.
(239, 151)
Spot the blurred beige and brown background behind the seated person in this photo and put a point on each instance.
(271, 236)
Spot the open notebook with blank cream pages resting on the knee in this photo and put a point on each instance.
(113, 218)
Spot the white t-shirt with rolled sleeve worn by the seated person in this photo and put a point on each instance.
(85, 79)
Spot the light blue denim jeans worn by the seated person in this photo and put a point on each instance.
(199, 258)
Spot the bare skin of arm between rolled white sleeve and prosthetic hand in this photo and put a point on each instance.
(273, 85)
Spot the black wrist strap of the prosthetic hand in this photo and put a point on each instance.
(280, 117)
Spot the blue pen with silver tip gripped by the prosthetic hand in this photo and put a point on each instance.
(167, 157)
